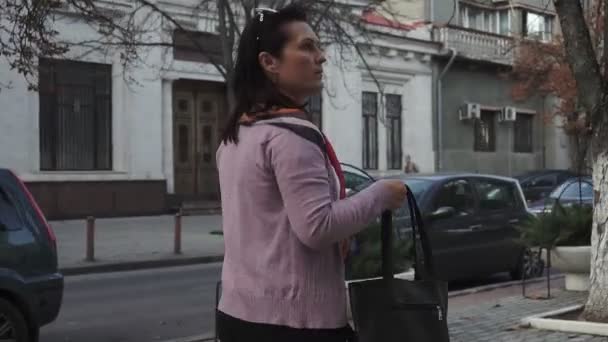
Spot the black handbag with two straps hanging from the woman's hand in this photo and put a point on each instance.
(396, 310)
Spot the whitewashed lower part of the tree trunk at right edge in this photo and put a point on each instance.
(596, 308)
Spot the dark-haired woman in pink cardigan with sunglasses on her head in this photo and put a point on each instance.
(284, 212)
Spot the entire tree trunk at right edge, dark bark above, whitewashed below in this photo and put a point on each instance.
(592, 95)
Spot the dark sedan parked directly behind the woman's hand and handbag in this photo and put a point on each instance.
(471, 222)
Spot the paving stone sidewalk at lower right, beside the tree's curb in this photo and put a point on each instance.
(499, 320)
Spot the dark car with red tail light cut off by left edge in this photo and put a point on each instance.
(31, 288)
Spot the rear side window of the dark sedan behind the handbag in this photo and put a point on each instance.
(496, 194)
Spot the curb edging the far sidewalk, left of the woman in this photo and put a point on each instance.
(138, 265)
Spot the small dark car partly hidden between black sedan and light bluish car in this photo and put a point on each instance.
(537, 185)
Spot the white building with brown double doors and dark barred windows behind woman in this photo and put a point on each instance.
(93, 141)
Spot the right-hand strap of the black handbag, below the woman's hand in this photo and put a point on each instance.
(423, 255)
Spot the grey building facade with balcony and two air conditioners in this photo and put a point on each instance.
(479, 127)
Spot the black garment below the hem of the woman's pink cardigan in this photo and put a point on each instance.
(231, 329)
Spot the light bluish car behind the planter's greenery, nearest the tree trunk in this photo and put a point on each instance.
(573, 191)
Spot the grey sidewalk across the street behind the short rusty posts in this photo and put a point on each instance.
(137, 242)
